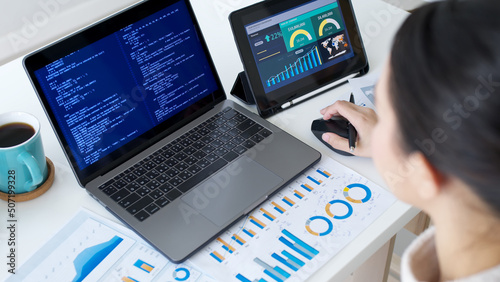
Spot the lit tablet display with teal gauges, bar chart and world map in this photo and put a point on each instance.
(298, 42)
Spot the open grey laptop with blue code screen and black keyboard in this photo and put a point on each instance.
(138, 107)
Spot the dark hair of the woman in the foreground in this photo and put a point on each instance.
(445, 90)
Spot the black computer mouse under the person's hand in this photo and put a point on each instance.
(337, 125)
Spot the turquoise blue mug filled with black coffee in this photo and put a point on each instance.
(23, 166)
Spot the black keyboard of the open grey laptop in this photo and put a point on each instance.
(180, 165)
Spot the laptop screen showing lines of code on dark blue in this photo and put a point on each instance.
(128, 85)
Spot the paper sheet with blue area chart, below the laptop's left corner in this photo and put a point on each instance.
(92, 248)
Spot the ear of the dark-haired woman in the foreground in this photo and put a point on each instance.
(429, 178)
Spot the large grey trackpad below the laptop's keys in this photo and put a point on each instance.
(232, 190)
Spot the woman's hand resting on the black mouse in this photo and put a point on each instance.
(362, 118)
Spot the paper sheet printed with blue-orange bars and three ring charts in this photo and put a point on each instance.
(315, 216)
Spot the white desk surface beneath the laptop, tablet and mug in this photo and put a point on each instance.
(39, 219)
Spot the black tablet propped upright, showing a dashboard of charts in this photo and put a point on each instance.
(290, 48)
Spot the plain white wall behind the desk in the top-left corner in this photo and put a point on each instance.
(26, 25)
